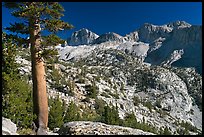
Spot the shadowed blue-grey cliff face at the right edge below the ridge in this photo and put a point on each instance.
(187, 39)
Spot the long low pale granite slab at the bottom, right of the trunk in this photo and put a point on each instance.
(97, 128)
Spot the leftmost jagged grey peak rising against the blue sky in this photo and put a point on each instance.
(82, 37)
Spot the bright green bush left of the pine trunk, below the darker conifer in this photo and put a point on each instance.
(17, 101)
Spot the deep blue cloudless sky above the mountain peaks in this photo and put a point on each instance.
(122, 17)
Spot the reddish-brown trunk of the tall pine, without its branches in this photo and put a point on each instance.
(40, 103)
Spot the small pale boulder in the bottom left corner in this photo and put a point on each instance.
(8, 127)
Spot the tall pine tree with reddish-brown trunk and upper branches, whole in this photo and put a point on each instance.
(37, 17)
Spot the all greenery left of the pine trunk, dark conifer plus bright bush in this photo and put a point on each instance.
(16, 92)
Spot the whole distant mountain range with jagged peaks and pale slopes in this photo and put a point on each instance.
(177, 43)
